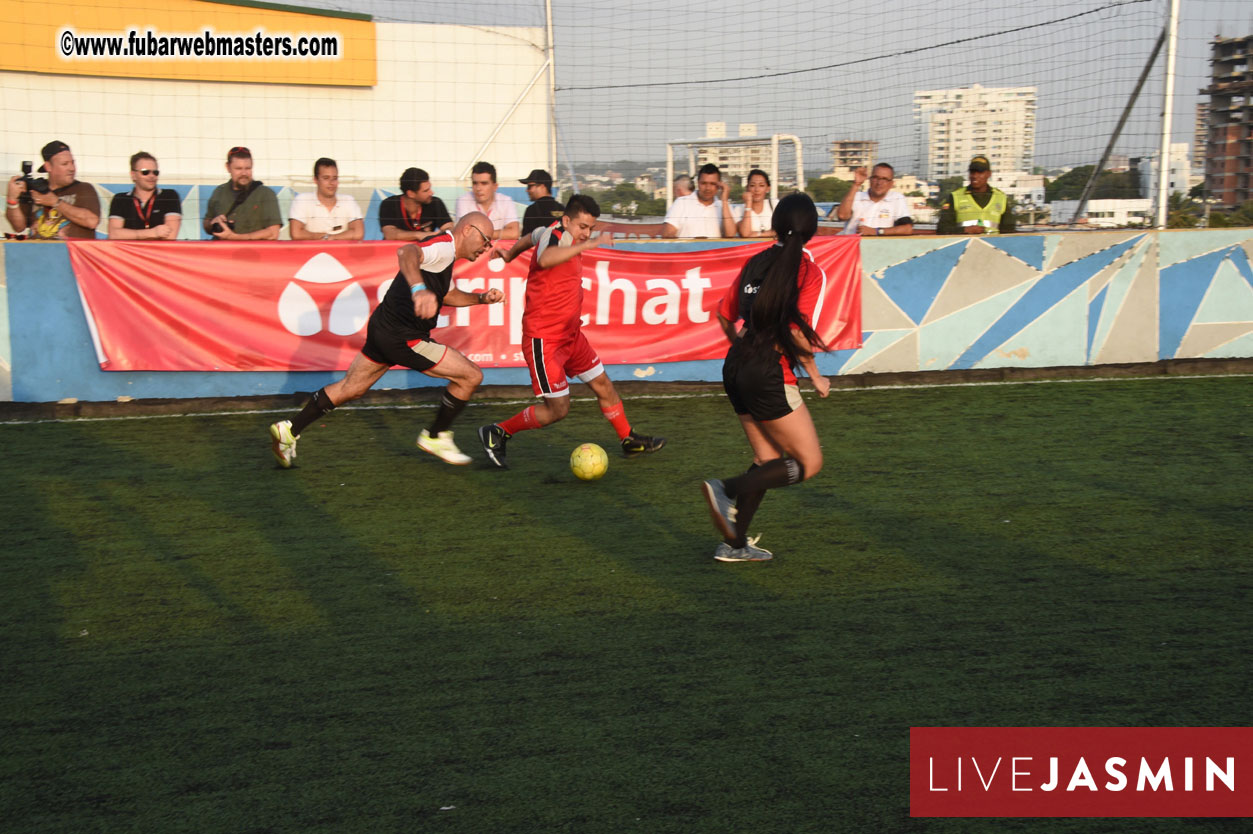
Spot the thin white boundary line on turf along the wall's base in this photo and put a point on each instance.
(809, 395)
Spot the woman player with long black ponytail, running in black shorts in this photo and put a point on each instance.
(779, 296)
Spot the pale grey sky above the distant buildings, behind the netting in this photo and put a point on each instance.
(640, 73)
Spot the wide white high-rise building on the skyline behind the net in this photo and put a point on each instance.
(962, 123)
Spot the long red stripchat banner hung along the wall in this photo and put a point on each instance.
(305, 306)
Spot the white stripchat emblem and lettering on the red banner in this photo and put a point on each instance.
(670, 301)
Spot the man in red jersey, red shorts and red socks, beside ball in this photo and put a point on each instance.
(553, 340)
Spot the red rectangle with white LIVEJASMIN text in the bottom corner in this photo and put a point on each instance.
(1081, 772)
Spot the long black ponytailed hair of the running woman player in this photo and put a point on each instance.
(775, 310)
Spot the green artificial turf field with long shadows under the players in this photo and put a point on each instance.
(195, 641)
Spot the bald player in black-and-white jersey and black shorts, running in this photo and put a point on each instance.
(400, 334)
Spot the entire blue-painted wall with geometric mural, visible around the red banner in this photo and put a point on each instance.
(929, 305)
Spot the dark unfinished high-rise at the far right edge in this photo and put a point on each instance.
(1230, 136)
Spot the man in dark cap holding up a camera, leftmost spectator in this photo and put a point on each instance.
(68, 210)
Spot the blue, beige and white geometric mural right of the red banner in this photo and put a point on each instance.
(1053, 300)
